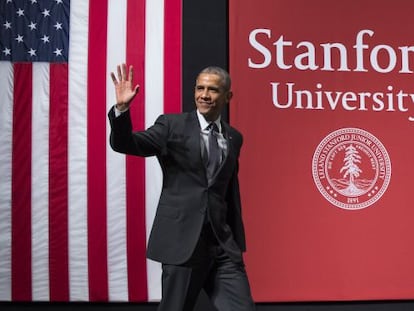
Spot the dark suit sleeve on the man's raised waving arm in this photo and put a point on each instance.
(142, 143)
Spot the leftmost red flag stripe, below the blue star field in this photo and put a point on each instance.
(21, 184)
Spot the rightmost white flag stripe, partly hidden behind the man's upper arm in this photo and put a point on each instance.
(154, 106)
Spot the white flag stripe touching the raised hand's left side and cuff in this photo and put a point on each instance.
(116, 182)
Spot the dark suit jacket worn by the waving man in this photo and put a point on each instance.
(186, 195)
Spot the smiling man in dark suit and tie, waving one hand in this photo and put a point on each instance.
(198, 233)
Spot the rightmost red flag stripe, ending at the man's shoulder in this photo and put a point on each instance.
(172, 56)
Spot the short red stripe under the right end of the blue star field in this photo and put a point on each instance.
(58, 183)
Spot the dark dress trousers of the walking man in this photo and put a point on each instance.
(224, 281)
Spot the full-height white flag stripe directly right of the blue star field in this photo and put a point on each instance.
(77, 155)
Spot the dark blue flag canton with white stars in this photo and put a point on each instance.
(34, 30)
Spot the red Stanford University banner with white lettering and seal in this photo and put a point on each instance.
(323, 93)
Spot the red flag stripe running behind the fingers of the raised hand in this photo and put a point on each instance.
(135, 167)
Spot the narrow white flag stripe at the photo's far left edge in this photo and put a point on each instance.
(6, 129)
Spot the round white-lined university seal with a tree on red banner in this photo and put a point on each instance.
(351, 168)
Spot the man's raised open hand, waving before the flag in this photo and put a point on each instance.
(125, 90)
